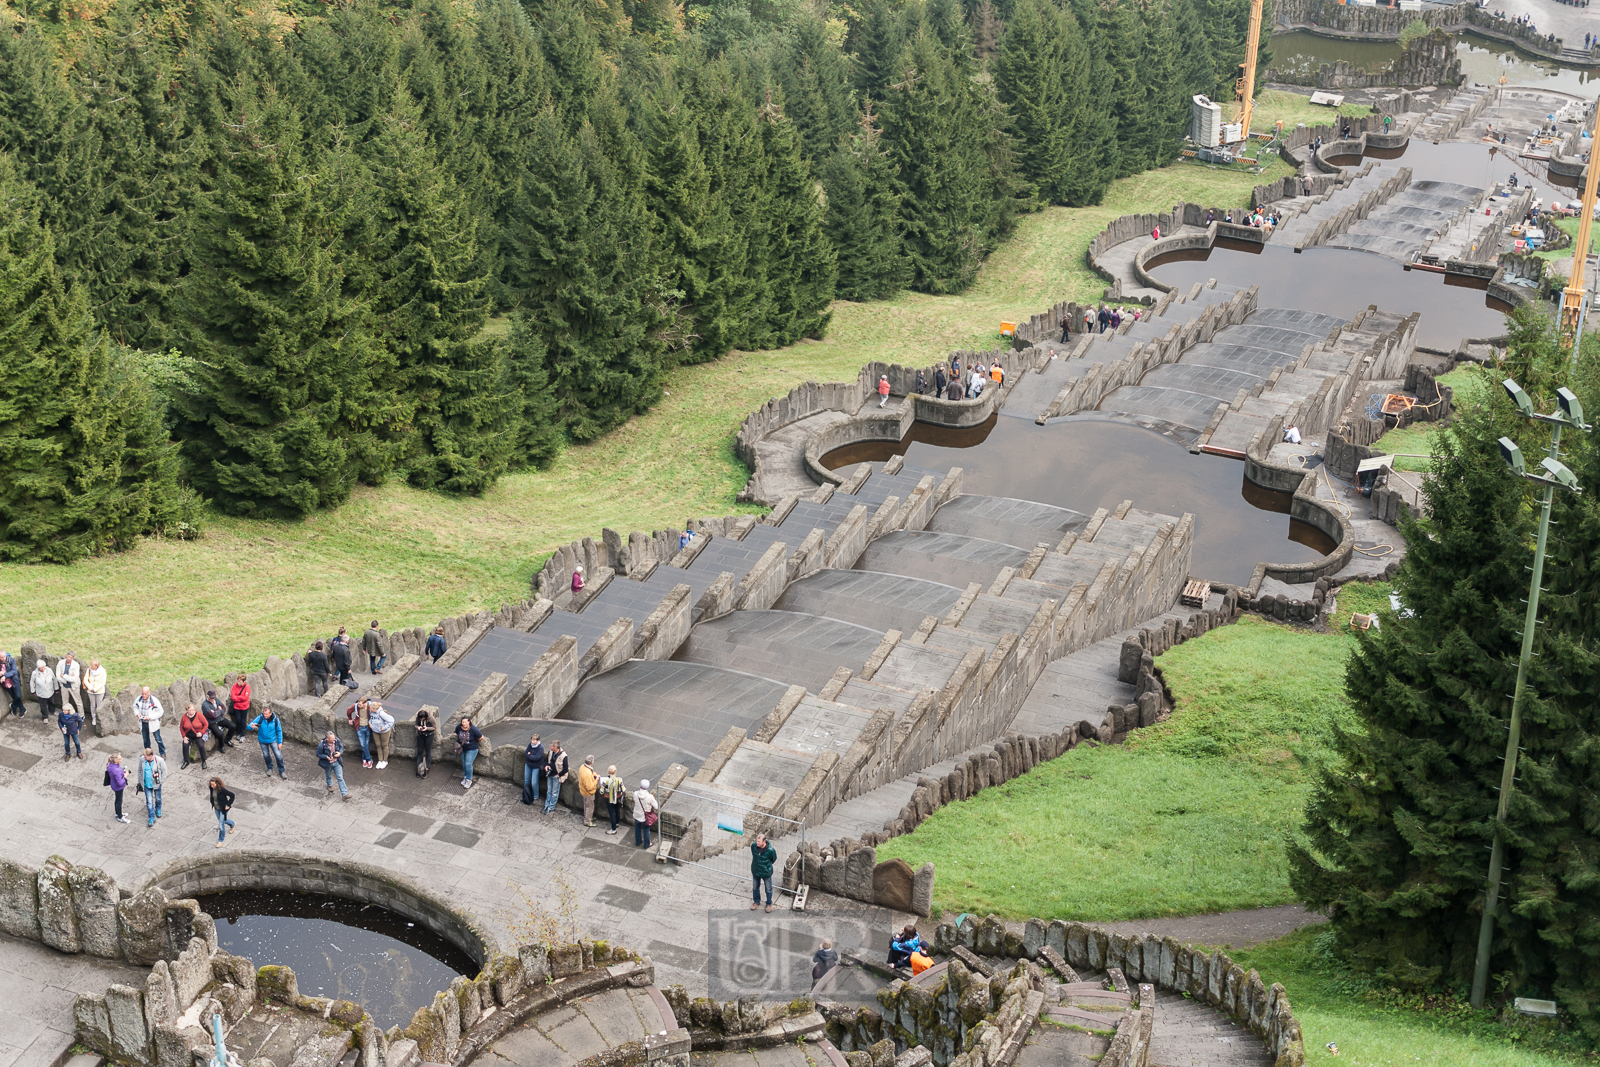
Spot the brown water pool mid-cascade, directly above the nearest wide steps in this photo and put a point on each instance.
(1095, 462)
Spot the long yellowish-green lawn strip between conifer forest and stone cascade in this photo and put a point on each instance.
(249, 589)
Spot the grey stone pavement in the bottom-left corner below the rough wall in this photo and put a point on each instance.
(38, 986)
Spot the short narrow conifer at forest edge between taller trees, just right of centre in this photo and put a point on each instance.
(863, 217)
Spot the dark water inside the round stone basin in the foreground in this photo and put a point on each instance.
(342, 949)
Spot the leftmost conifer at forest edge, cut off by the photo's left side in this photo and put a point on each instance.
(86, 463)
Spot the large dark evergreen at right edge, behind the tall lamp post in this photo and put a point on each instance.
(1399, 825)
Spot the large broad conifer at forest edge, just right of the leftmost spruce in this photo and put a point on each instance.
(278, 425)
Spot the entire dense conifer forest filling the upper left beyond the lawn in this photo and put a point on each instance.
(249, 254)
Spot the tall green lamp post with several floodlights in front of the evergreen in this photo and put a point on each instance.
(1556, 474)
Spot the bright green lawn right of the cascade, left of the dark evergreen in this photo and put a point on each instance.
(1186, 818)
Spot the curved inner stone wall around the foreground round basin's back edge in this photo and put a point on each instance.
(295, 873)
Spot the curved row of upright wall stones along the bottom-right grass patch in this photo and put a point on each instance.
(1162, 962)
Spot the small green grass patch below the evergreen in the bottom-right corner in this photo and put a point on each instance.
(1374, 1028)
